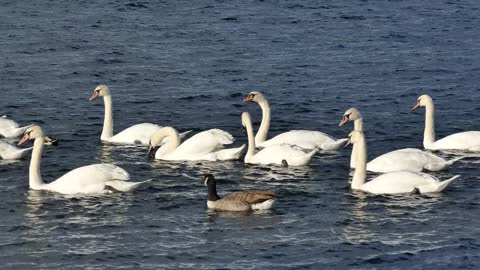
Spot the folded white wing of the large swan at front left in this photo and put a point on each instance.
(88, 179)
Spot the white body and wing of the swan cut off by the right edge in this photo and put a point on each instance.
(463, 141)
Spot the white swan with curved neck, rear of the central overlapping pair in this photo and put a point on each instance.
(306, 139)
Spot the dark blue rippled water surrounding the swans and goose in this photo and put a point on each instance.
(189, 64)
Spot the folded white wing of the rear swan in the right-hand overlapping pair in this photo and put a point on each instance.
(409, 159)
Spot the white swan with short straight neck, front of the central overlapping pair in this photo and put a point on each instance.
(281, 154)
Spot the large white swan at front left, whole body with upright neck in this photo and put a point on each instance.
(96, 178)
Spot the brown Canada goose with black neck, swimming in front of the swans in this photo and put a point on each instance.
(237, 201)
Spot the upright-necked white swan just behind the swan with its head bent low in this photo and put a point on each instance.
(137, 134)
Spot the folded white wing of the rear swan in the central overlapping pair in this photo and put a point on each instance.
(306, 139)
